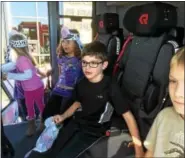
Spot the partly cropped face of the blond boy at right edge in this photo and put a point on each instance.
(176, 87)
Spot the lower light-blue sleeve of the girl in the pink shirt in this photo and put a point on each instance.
(20, 76)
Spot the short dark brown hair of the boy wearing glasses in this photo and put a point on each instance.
(96, 49)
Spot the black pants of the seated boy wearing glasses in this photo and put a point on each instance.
(69, 143)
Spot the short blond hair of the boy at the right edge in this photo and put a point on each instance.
(178, 58)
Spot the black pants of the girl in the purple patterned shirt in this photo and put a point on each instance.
(56, 105)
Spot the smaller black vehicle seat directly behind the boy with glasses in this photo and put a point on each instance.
(109, 33)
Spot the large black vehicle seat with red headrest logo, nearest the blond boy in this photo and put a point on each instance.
(144, 73)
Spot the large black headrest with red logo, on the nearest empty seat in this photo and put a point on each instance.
(150, 19)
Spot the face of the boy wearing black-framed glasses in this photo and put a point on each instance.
(93, 67)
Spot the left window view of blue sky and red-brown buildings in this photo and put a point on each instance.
(31, 18)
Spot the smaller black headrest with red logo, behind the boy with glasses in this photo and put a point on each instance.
(106, 23)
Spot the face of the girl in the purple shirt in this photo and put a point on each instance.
(68, 46)
